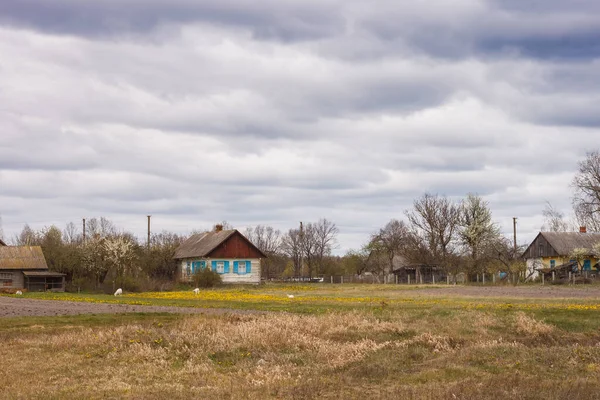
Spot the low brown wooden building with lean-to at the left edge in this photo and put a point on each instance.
(24, 267)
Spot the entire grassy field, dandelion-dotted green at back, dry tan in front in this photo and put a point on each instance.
(334, 342)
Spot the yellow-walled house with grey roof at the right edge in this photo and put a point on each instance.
(550, 250)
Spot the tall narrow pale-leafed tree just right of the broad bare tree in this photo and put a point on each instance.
(476, 228)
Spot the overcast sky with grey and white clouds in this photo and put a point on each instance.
(277, 112)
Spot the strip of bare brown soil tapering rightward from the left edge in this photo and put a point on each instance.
(20, 307)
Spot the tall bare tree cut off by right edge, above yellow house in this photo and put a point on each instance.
(586, 200)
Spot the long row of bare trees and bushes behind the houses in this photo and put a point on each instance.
(455, 235)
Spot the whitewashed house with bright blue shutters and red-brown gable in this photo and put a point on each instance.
(227, 252)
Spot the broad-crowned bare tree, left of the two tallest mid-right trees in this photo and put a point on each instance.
(435, 219)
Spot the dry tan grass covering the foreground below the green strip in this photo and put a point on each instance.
(465, 354)
